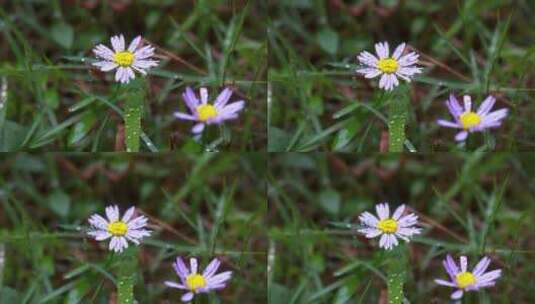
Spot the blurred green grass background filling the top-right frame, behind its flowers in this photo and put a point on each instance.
(317, 103)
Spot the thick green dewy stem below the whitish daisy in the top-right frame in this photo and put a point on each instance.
(397, 120)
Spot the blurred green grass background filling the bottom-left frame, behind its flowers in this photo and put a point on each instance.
(206, 206)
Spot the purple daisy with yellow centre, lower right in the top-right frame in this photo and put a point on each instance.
(470, 121)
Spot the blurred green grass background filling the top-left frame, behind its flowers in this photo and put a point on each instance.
(55, 101)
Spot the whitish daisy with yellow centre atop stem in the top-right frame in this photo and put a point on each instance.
(390, 68)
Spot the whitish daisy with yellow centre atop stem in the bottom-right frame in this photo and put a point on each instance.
(389, 228)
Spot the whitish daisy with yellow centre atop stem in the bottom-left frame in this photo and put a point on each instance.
(119, 230)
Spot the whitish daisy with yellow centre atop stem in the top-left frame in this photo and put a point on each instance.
(125, 61)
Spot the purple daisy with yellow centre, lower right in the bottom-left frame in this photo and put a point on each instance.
(196, 283)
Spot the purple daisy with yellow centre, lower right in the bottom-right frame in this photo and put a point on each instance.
(465, 280)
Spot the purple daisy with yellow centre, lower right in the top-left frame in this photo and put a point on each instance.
(205, 113)
